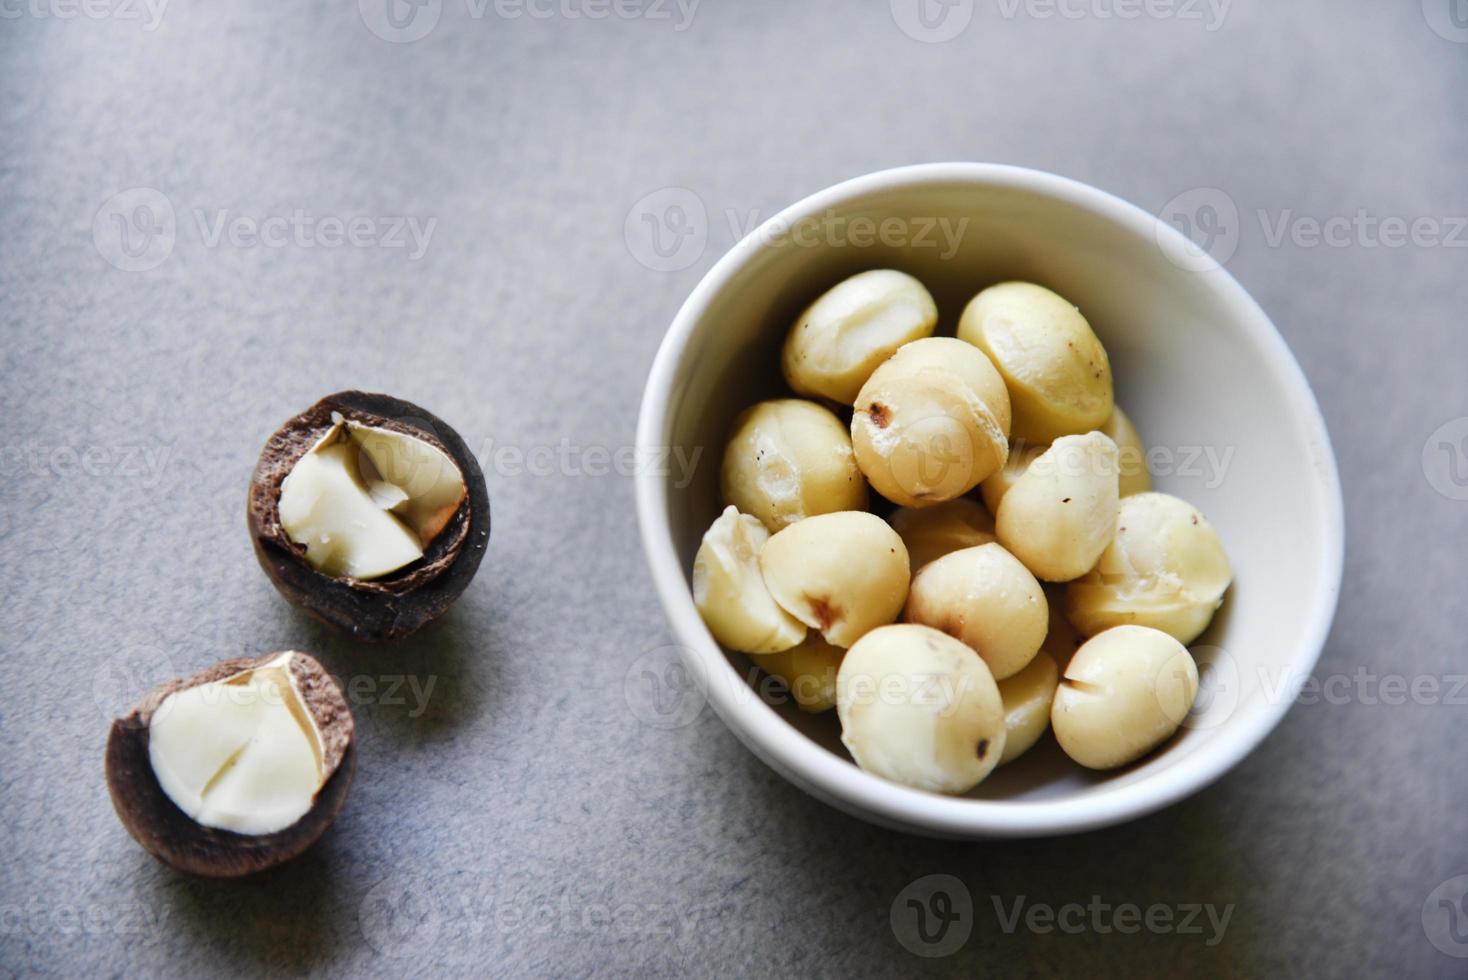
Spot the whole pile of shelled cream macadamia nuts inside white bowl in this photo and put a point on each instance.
(951, 635)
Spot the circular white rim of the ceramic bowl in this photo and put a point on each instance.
(839, 781)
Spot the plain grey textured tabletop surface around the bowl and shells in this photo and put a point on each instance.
(522, 816)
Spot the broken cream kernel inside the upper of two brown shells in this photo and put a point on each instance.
(365, 502)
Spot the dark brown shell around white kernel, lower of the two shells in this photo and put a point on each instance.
(172, 837)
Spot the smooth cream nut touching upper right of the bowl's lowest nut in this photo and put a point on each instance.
(986, 598)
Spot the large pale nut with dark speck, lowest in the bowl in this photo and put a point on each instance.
(921, 709)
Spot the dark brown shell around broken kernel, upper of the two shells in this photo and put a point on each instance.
(397, 605)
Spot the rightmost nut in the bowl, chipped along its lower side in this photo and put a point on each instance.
(1166, 570)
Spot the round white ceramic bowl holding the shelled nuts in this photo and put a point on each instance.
(1197, 366)
